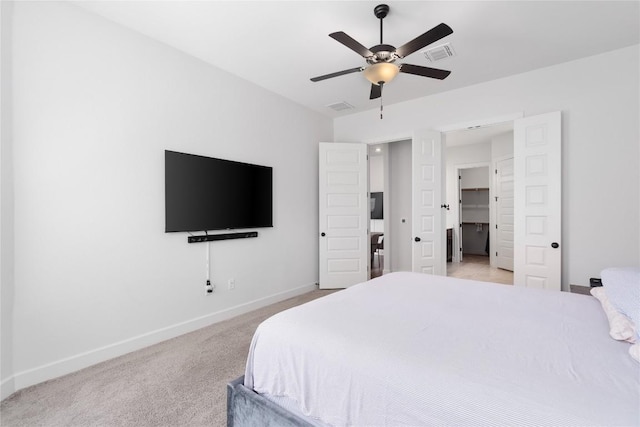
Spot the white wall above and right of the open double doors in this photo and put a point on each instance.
(598, 97)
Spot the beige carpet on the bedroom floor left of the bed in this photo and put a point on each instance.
(179, 382)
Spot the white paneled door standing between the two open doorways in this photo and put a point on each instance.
(429, 245)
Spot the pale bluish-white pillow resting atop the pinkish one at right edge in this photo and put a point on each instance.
(623, 289)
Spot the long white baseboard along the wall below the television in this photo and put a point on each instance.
(74, 363)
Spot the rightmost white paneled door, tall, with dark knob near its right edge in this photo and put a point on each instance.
(537, 201)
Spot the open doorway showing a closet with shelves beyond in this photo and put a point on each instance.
(471, 193)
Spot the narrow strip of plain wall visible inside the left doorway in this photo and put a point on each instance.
(400, 195)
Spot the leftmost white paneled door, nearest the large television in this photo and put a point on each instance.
(344, 215)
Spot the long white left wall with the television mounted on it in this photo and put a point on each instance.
(95, 106)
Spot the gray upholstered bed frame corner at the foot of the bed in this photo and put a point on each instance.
(246, 408)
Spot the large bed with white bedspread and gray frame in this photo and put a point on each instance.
(409, 349)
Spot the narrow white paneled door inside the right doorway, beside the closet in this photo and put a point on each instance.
(504, 214)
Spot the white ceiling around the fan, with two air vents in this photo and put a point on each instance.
(281, 45)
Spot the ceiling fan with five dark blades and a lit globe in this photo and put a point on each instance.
(382, 57)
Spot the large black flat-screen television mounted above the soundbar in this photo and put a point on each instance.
(205, 193)
